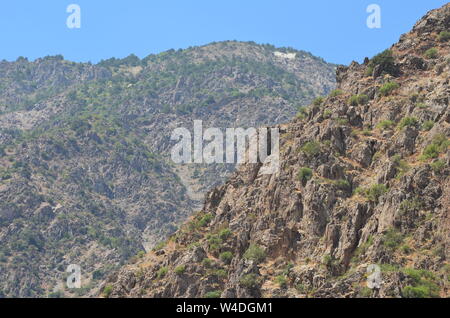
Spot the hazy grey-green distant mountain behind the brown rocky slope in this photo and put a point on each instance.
(85, 171)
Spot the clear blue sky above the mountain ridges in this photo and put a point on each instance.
(332, 29)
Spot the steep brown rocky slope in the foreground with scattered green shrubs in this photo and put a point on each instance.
(364, 180)
